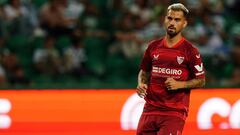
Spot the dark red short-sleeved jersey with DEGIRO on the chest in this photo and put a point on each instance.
(181, 62)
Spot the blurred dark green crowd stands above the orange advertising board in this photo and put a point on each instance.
(99, 43)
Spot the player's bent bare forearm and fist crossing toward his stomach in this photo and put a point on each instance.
(172, 84)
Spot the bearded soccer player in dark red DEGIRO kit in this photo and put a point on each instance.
(170, 67)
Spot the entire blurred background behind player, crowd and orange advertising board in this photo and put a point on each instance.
(69, 67)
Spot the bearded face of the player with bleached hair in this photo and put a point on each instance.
(174, 22)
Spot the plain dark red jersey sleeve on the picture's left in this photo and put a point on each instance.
(146, 63)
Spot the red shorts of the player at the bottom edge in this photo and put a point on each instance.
(160, 125)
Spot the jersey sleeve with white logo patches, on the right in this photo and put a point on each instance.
(196, 66)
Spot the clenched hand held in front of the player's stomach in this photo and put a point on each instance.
(172, 84)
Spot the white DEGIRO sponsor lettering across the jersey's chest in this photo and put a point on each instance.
(168, 71)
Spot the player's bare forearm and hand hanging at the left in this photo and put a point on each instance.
(143, 80)
